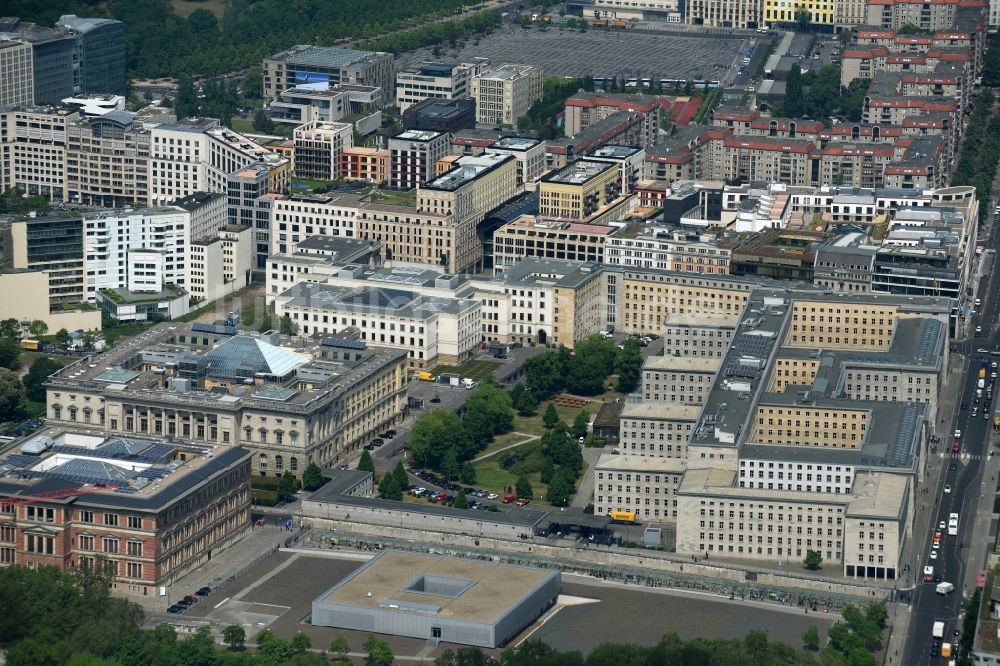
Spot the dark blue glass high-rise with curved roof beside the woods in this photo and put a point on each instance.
(99, 56)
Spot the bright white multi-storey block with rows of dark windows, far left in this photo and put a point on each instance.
(110, 240)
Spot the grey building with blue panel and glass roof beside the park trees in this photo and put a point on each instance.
(305, 64)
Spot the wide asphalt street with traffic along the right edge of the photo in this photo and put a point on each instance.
(963, 473)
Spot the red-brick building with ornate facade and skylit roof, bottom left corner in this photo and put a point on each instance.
(162, 509)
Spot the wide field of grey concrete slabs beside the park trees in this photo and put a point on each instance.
(599, 53)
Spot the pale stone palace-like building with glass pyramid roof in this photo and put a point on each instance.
(290, 405)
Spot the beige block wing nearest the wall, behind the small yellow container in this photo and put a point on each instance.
(638, 485)
